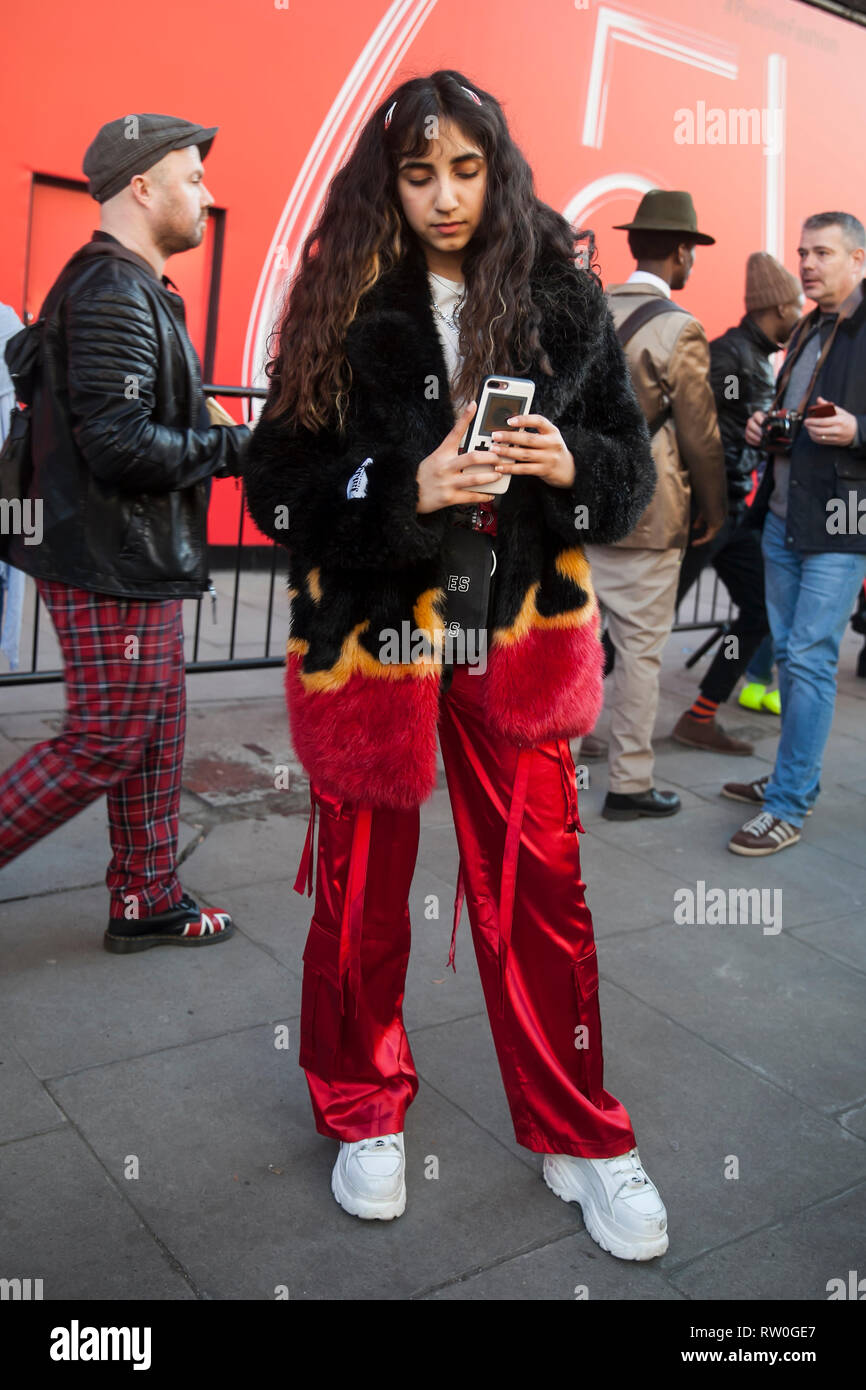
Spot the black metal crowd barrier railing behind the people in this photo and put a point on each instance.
(696, 614)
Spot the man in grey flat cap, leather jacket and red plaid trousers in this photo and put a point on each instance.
(123, 458)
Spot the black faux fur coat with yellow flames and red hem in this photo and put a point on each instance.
(366, 729)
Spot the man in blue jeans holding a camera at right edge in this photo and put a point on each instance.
(812, 508)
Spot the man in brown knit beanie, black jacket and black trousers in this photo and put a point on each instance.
(743, 383)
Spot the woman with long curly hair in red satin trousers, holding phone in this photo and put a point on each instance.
(434, 266)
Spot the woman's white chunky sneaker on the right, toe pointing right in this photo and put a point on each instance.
(622, 1207)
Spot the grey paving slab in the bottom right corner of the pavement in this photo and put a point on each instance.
(792, 1261)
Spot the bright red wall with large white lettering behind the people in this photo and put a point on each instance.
(269, 79)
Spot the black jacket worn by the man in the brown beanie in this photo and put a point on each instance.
(742, 377)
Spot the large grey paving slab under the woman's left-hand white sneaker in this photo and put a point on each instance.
(237, 1181)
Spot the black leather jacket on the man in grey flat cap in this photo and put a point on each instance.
(123, 450)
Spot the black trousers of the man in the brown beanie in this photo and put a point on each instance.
(736, 558)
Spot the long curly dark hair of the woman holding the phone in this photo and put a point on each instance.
(362, 233)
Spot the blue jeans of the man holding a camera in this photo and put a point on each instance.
(810, 600)
